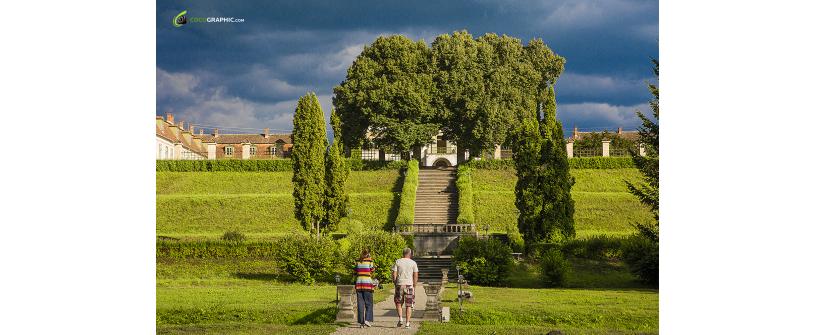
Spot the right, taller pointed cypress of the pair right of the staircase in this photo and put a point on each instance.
(557, 215)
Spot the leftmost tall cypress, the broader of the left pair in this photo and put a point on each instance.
(308, 162)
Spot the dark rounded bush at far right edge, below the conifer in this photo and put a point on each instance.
(642, 257)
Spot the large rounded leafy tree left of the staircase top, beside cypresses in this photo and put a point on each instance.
(388, 91)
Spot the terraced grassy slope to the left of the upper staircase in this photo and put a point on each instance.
(259, 204)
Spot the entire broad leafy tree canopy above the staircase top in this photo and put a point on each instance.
(477, 91)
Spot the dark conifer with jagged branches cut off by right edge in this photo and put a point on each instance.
(648, 192)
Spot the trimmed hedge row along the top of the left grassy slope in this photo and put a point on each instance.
(266, 165)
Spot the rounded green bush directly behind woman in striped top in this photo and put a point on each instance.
(385, 249)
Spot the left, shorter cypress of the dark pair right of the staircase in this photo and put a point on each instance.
(528, 201)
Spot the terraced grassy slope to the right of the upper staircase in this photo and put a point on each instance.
(602, 202)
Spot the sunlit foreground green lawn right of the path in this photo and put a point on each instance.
(536, 311)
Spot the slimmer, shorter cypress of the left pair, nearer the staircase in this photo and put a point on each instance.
(336, 173)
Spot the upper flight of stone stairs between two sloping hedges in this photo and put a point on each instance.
(436, 197)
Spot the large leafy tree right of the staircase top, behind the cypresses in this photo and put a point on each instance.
(487, 86)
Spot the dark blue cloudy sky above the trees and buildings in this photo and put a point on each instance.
(246, 76)
